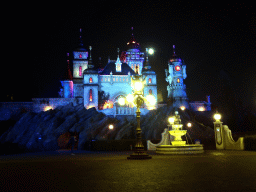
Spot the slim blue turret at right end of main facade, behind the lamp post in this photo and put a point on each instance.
(151, 83)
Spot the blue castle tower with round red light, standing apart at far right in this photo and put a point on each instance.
(175, 75)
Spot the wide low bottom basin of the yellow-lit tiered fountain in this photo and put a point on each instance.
(183, 149)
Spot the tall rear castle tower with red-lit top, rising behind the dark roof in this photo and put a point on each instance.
(134, 58)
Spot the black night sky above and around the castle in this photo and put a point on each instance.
(216, 41)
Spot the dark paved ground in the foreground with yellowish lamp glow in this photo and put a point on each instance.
(111, 171)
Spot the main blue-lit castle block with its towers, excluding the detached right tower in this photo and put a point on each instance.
(102, 88)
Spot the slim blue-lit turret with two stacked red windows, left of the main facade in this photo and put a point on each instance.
(91, 84)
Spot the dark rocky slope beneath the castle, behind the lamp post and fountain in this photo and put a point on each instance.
(50, 130)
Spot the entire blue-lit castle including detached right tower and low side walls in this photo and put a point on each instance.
(101, 88)
